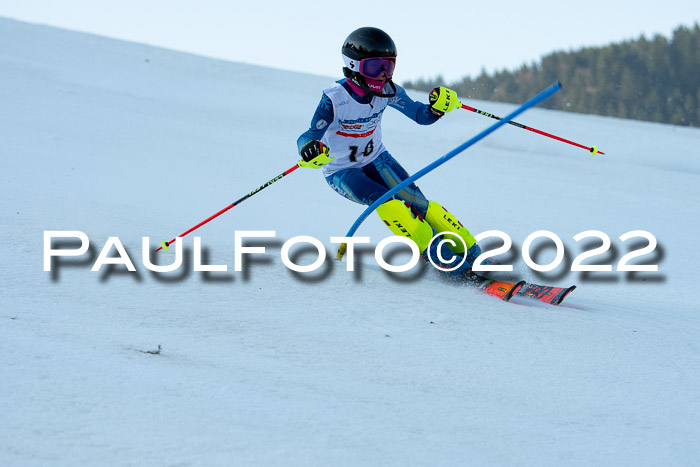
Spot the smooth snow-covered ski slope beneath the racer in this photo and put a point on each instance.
(267, 367)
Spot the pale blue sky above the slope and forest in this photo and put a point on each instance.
(454, 38)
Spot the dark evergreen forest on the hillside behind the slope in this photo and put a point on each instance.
(656, 80)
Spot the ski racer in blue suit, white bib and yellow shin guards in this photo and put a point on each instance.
(345, 139)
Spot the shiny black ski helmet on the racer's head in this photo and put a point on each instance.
(365, 43)
